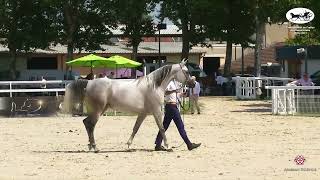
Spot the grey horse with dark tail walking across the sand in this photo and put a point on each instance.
(142, 96)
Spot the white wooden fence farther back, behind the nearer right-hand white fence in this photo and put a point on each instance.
(250, 87)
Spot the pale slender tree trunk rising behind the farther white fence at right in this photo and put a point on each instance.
(258, 46)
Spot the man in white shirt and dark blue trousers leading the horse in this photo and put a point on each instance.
(172, 94)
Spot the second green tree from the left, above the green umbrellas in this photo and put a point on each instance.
(83, 24)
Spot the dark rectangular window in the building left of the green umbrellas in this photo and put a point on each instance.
(42, 63)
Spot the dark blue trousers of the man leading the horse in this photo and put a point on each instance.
(172, 112)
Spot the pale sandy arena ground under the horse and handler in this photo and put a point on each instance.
(240, 140)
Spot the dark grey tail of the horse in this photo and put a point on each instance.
(74, 95)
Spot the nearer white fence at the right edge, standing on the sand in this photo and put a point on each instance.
(291, 100)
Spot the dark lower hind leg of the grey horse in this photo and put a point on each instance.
(90, 123)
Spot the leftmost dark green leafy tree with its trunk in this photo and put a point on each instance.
(23, 26)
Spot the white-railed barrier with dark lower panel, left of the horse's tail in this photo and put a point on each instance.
(31, 97)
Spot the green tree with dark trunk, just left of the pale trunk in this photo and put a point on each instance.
(232, 24)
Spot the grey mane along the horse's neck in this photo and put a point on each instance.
(159, 75)
